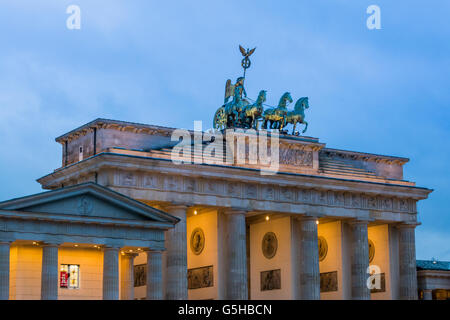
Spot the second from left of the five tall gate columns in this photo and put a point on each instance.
(236, 256)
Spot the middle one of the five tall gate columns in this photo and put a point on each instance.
(309, 273)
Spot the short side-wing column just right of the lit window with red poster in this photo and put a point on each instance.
(110, 273)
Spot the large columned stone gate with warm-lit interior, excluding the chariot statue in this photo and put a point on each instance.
(343, 195)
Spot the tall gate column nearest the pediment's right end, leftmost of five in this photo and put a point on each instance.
(176, 255)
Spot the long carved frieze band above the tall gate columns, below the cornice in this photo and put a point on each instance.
(267, 192)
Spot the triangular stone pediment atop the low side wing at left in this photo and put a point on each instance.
(88, 199)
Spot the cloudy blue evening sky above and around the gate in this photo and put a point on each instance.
(382, 91)
